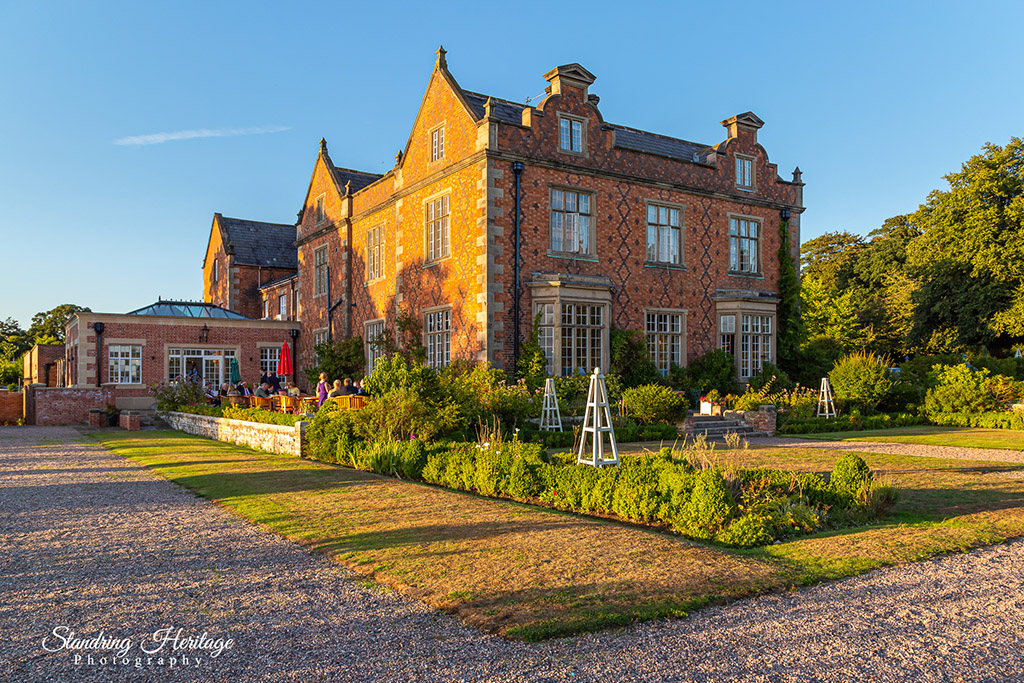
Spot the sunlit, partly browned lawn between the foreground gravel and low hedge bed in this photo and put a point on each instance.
(526, 572)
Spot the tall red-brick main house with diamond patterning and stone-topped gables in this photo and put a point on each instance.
(375, 229)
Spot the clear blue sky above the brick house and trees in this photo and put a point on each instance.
(876, 102)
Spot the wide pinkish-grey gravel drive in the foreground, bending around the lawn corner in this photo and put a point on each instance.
(94, 543)
